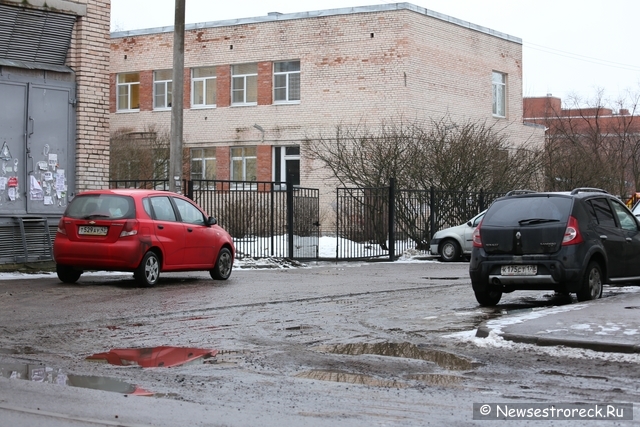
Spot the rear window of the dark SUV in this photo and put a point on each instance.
(509, 212)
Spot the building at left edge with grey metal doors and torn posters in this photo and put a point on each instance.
(54, 126)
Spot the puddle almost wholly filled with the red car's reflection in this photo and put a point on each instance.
(154, 357)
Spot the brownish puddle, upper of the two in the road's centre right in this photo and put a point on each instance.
(405, 350)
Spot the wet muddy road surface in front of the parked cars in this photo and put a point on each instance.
(330, 344)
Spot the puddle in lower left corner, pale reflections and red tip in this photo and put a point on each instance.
(45, 374)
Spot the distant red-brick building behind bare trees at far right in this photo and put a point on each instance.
(591, 139)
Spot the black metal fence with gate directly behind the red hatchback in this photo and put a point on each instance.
(265, 219)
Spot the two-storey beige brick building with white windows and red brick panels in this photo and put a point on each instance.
(256, 88)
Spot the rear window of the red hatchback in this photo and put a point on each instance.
(101, 206)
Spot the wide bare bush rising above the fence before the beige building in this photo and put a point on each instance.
(441, 153)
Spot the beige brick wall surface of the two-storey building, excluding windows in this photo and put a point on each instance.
(355, 68)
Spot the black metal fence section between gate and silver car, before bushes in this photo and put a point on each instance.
(385, 222)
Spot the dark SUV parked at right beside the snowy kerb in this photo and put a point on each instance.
(566, 242)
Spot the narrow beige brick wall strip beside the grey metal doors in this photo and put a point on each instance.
(89, 57)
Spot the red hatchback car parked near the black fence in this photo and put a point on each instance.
(142, 231)
